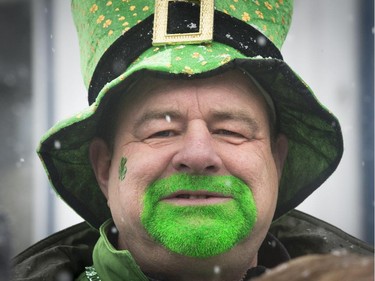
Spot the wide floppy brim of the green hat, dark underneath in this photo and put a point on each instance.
(314, 134)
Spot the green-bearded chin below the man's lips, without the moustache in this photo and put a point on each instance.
(200, 231)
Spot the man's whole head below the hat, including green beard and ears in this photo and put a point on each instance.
(198, 139)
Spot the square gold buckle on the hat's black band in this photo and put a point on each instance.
(206, 24)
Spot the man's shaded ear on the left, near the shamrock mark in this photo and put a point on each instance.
(100, 158)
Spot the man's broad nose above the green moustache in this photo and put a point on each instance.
(197, 154)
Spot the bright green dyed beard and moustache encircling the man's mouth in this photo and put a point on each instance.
(199, 231)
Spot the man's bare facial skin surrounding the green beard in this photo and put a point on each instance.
(210, 127)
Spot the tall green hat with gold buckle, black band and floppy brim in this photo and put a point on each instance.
(121, 39)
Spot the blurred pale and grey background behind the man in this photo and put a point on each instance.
(330, 44)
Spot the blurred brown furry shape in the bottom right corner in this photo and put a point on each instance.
(332, 267)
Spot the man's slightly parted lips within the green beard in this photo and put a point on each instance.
(188, 198)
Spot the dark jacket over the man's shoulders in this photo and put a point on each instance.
(70, 251)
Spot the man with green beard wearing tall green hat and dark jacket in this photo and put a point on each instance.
(198, 142)
